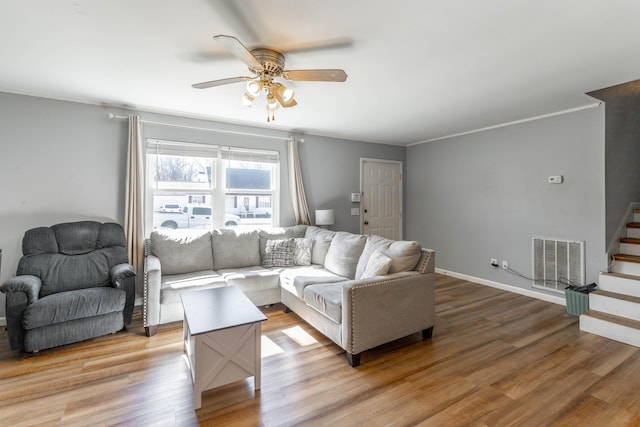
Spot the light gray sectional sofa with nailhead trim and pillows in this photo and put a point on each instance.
(360, 291)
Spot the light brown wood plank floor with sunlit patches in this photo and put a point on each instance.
(496, 358)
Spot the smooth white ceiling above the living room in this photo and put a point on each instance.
(418, 69)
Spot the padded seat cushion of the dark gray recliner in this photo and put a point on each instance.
(66, 306)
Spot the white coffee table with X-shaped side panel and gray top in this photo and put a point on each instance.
(221, 338)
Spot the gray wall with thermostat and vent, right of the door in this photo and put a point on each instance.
(485, 195)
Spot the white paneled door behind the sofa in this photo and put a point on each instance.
(381, 202)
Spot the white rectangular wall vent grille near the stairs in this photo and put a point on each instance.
(557, 263)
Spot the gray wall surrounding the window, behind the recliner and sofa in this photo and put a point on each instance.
(64, 161)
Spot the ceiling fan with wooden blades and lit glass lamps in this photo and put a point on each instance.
(267, 65)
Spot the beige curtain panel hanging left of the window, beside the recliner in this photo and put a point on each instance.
(133, 204)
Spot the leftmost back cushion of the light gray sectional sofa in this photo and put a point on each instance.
(182, 251)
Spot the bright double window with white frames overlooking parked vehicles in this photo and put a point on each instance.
(206, 186)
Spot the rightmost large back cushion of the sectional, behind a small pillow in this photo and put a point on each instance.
(404, 254)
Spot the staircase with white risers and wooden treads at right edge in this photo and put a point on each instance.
(614, 309)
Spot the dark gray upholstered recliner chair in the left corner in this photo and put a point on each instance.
(73, 283)
